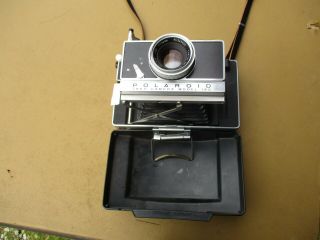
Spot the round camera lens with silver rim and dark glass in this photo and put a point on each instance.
(172, 56)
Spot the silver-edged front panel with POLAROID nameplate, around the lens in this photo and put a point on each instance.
(203, 81)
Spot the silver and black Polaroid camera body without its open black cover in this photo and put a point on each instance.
(209, 87)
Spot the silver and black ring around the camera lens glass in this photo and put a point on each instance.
(172, 74)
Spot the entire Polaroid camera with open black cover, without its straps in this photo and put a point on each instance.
(176, 153)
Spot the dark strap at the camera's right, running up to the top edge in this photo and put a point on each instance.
(232, 53)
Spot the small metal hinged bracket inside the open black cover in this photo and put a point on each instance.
(171, 143)
